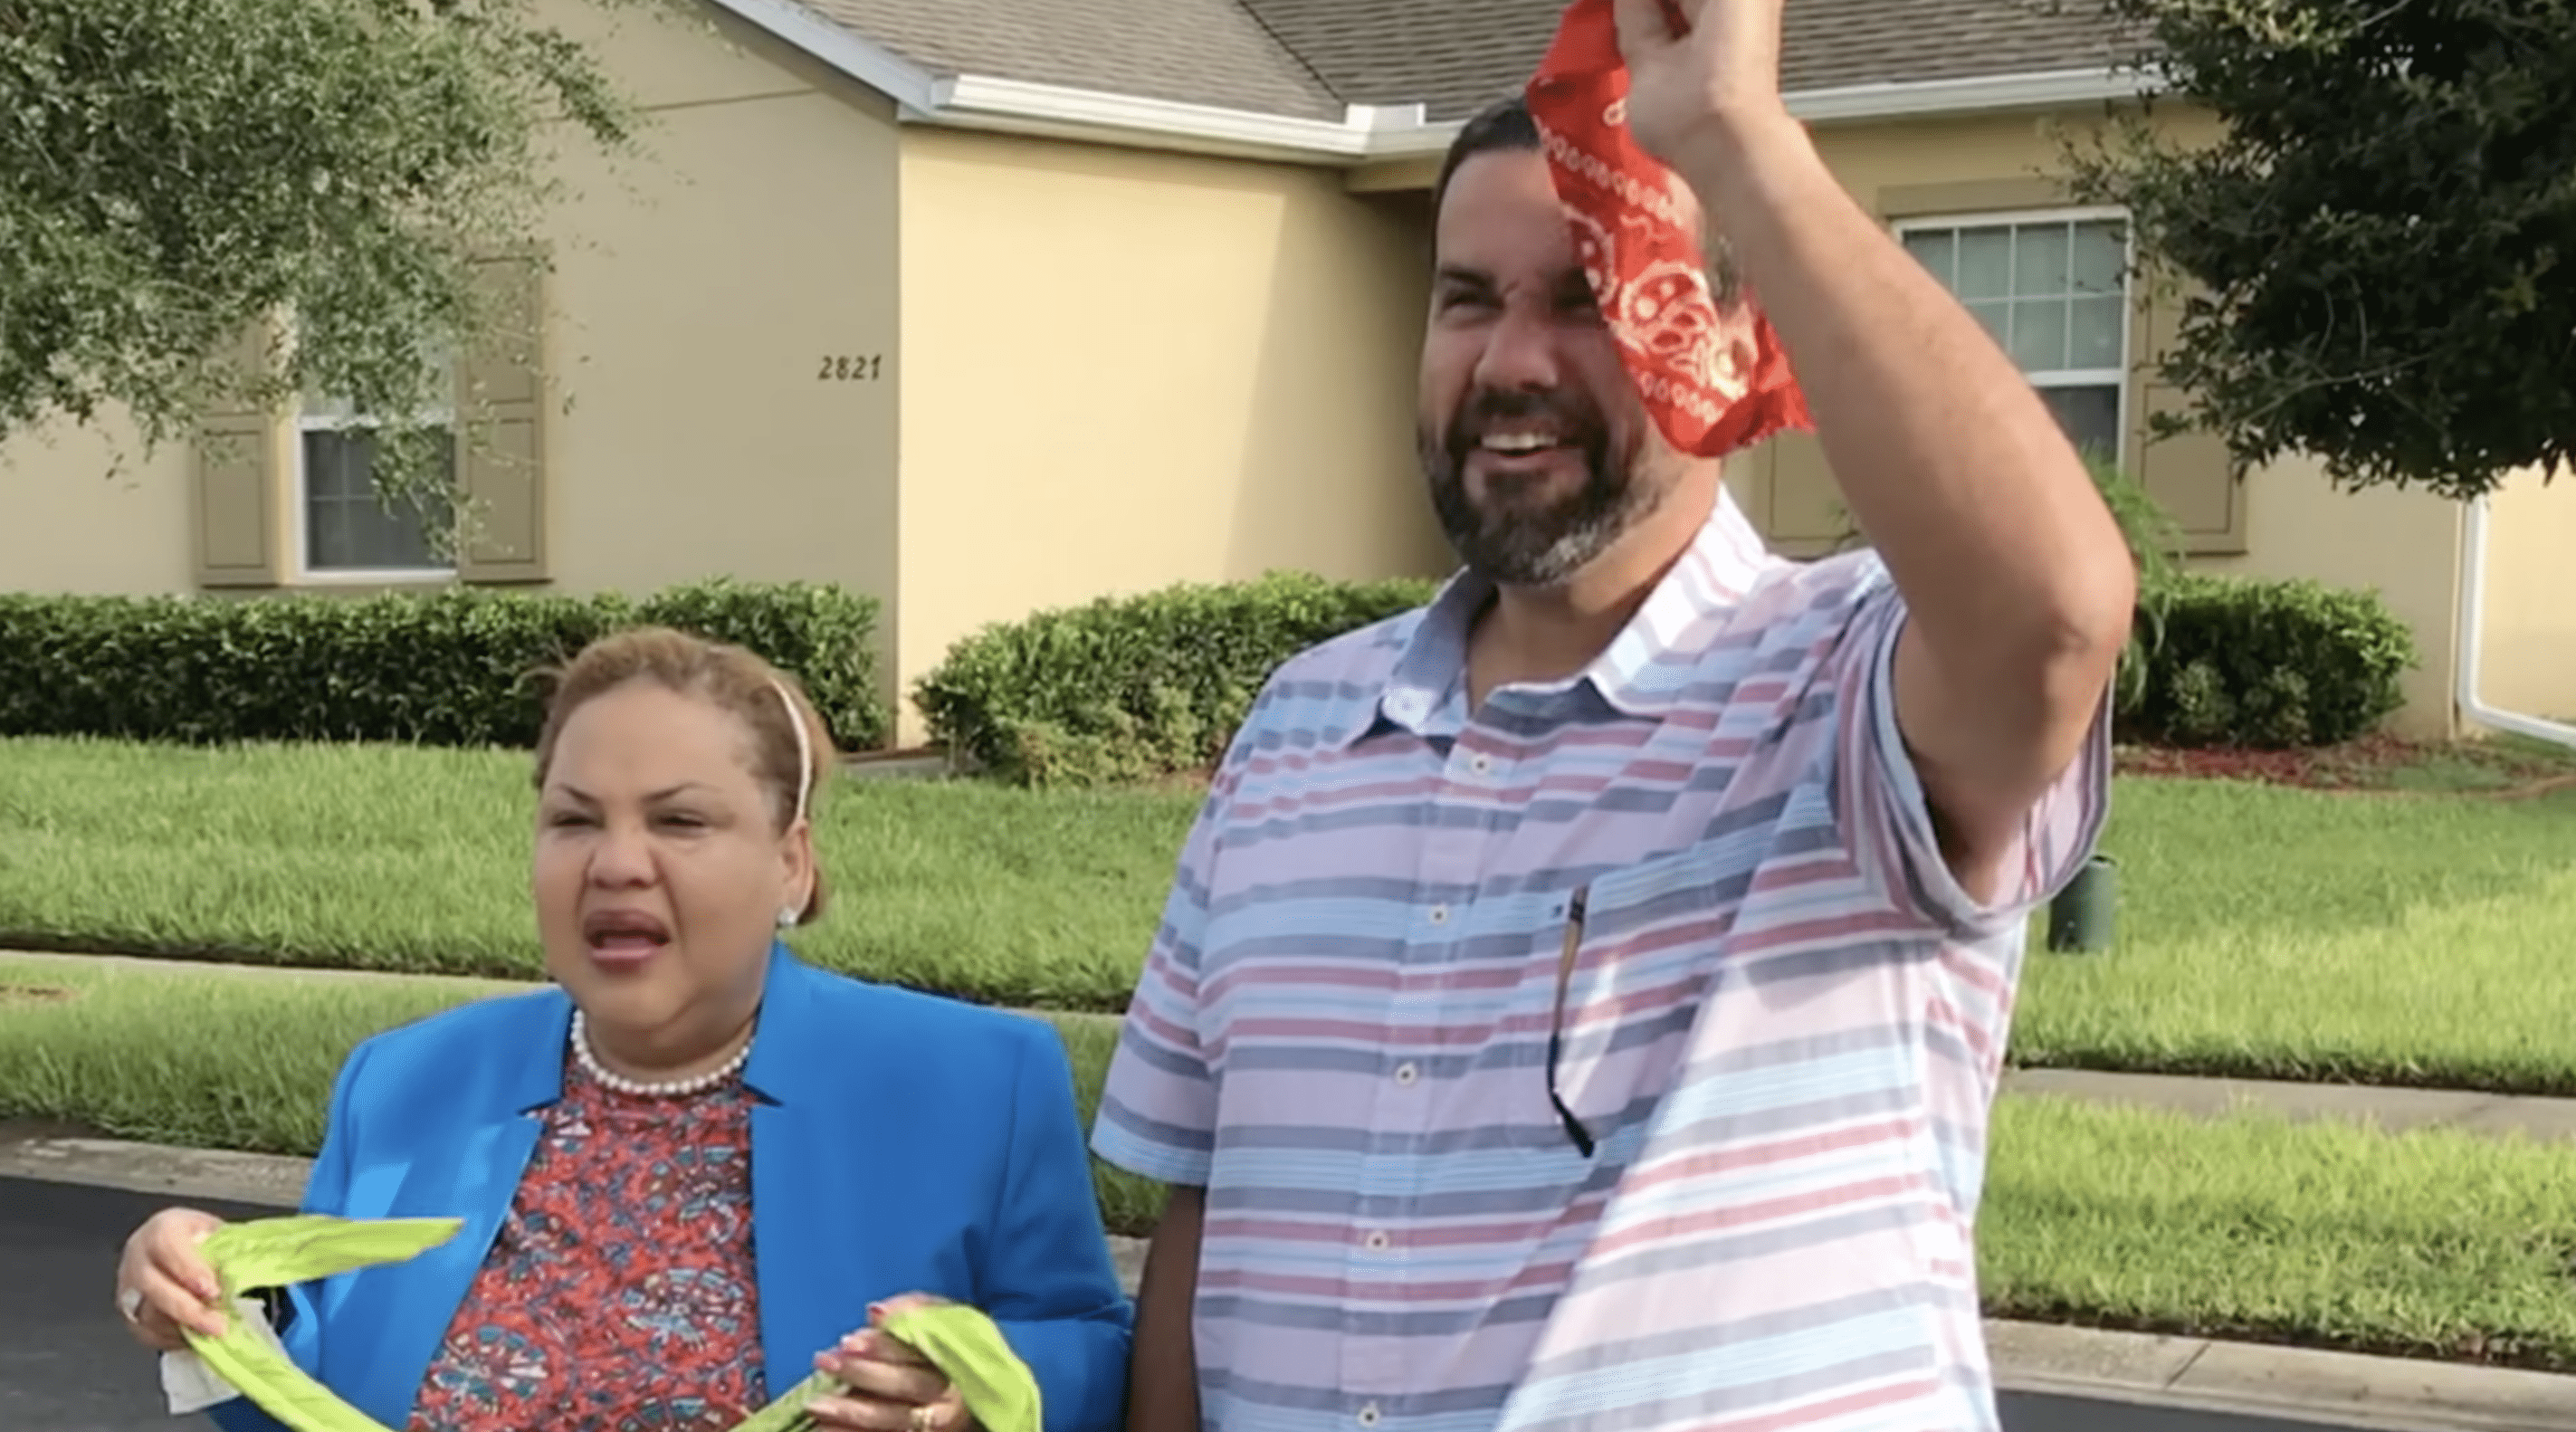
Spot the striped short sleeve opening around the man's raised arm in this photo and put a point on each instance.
(1889, 820)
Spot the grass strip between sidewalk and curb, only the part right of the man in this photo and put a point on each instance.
(2250, 1227)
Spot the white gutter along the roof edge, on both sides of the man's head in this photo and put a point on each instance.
(1361, 135)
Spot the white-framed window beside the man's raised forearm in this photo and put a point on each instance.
(2054, 292)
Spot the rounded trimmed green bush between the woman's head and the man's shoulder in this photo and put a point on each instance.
(1127, 689)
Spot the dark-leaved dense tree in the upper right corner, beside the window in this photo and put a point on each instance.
(2379, 251)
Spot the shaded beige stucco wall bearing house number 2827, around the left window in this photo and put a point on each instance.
(697, 290)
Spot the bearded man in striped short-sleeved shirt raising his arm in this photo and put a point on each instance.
(1580, 1001)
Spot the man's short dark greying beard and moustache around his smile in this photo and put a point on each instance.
(1519, 542)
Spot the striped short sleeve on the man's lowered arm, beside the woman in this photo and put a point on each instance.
(1158, 1109)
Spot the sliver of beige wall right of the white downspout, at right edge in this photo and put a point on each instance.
(2528, 658)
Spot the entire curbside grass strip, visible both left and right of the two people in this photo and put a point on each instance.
(2428, 1245)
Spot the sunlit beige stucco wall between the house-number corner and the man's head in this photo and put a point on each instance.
(1135, 370)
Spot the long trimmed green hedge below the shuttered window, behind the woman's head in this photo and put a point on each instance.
(447, 668)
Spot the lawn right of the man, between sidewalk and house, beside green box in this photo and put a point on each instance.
(2322, 936)
